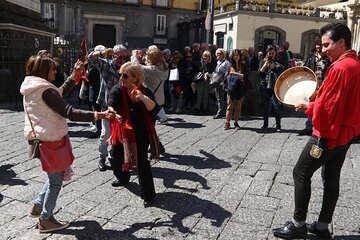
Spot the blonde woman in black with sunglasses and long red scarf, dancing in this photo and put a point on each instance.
(133, 130)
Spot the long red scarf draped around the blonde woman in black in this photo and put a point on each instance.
(124, 132)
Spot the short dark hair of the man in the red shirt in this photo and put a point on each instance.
(338, 31)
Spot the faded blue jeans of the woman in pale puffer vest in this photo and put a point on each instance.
(49, 194)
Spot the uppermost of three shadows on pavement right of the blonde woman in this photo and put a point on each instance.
(210, 162)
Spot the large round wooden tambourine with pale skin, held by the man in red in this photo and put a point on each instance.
(295, 84)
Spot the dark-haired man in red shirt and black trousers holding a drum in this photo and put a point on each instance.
(335, 115)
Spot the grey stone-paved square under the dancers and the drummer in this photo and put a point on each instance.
(211, 184)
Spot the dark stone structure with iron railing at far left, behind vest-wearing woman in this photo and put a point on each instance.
(22, 33)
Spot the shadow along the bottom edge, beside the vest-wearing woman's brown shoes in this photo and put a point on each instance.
(89, 229)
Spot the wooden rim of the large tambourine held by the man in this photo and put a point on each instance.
(286, 74)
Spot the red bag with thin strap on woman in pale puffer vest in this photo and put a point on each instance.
(54, 156)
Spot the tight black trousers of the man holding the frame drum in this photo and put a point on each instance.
(332, 161)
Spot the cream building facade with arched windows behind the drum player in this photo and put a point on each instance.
(252, 26)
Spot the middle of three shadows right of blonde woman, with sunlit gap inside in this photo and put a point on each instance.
(170, 176)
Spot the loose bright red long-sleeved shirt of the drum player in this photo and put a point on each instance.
(335, 113)
